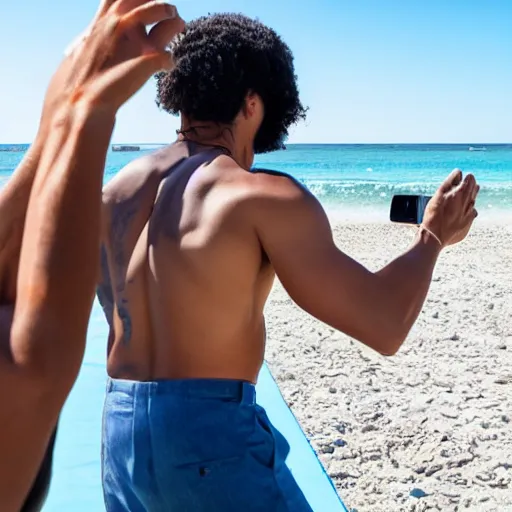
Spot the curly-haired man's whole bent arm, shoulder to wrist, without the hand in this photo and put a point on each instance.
(376, 308)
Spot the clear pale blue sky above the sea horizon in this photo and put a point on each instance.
(370, 70)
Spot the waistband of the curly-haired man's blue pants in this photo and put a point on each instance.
(236, 390)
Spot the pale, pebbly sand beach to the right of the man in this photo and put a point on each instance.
(430, 428)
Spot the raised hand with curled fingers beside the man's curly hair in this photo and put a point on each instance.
(116, 57)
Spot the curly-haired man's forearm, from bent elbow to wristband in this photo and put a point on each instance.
(406, 281)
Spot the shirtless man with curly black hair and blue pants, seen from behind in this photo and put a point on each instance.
(192, 242)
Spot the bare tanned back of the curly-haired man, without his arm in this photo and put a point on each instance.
(186, 270)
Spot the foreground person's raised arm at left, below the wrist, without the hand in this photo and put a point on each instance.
(55, 293)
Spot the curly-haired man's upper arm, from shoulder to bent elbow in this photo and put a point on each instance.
(296, 235)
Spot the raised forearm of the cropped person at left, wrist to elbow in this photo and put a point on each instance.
(61, 245)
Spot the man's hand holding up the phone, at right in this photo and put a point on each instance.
(451, 211)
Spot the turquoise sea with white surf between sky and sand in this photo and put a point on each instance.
(357, 182)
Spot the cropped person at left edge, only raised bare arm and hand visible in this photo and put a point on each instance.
(50, 227)
